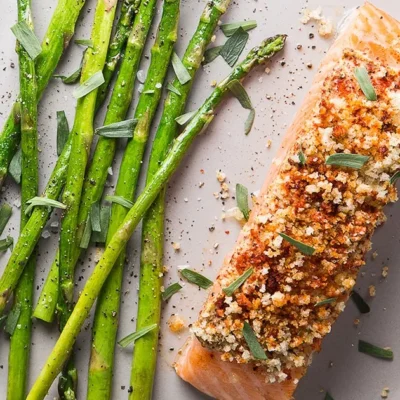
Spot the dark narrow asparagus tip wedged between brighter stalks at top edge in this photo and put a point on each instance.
(128, 10)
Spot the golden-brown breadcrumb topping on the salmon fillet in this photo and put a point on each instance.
(333, 209)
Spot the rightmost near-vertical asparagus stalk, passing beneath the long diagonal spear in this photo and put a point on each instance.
(151, 268)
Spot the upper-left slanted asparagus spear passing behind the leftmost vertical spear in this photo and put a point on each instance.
(56, 39)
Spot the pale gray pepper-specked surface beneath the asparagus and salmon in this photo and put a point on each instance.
(192, 210)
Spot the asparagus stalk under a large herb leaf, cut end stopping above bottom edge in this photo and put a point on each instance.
(105, 149)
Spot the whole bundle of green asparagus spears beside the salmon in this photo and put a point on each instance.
(81, 191)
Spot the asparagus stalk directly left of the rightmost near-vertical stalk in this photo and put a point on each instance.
(105, 321)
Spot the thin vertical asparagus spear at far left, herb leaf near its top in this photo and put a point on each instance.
(18, 358)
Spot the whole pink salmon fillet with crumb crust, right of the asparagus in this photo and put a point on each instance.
(294, 295)
